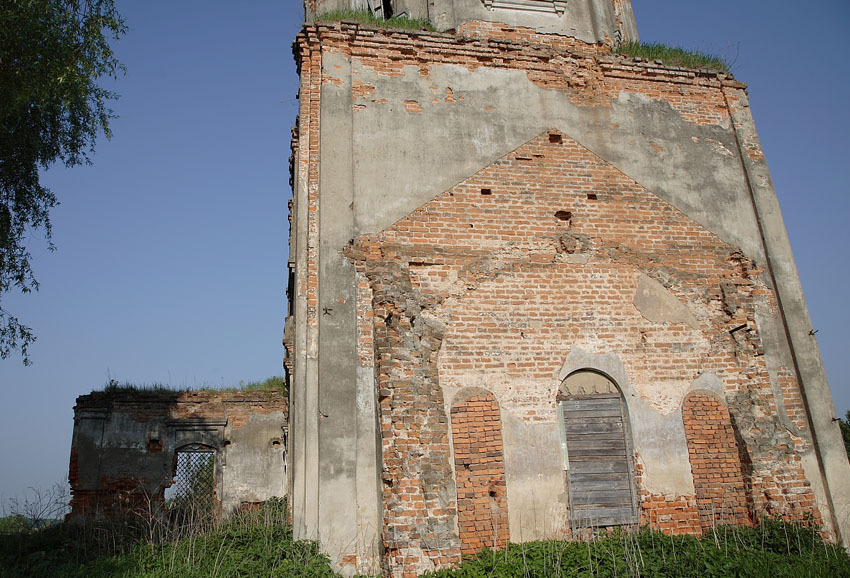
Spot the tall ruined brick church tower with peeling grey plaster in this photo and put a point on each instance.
(537, 288)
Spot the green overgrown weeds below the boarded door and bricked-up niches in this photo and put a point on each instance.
(775, 549)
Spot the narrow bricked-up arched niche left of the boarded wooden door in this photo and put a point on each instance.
(482, 502)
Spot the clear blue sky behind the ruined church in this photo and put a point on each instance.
(172, 247)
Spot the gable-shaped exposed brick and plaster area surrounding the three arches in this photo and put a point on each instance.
(552, 254)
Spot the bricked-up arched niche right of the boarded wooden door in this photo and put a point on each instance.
(715, 461)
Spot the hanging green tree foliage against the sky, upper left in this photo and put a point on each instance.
(52, 55)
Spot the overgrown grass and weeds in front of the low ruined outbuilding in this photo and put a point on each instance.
(255, 543)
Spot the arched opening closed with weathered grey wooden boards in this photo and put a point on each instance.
(597, 452)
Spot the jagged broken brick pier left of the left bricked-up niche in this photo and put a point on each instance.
(418, 488)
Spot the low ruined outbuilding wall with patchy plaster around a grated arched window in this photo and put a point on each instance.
(122, 454)
